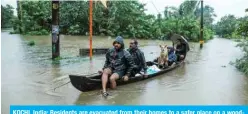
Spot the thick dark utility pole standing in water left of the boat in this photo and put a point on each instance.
(55, 29)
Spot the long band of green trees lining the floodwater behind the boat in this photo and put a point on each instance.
(126, 18)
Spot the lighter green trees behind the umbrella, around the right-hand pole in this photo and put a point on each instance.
(186, 20)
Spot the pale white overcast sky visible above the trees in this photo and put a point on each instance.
(221, 7)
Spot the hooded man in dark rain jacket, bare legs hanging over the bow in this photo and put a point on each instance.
(117, 64)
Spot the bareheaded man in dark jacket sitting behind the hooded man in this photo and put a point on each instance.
(138, 58)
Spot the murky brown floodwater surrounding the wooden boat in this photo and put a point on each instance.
(29, 76)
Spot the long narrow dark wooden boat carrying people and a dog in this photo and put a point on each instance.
(89, 83)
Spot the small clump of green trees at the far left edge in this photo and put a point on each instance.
(7, 15)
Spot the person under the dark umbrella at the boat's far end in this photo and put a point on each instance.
(181, 50)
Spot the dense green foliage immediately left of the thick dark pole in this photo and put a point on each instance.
(33, 17)
